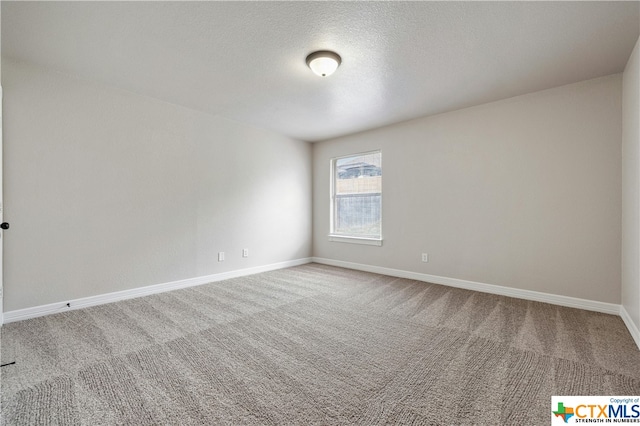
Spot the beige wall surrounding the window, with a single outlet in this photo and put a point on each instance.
(523, 193)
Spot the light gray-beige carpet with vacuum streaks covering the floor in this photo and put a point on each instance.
(312, 345)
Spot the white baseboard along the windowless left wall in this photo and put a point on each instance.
(85, 302)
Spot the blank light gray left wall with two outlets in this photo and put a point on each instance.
(107, 190)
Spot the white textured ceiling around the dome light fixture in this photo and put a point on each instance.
(400, 60)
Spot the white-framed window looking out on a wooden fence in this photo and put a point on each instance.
(356, 198)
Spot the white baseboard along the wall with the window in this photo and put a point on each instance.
(571, 302)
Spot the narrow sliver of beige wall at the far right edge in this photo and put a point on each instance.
(631, 187)
